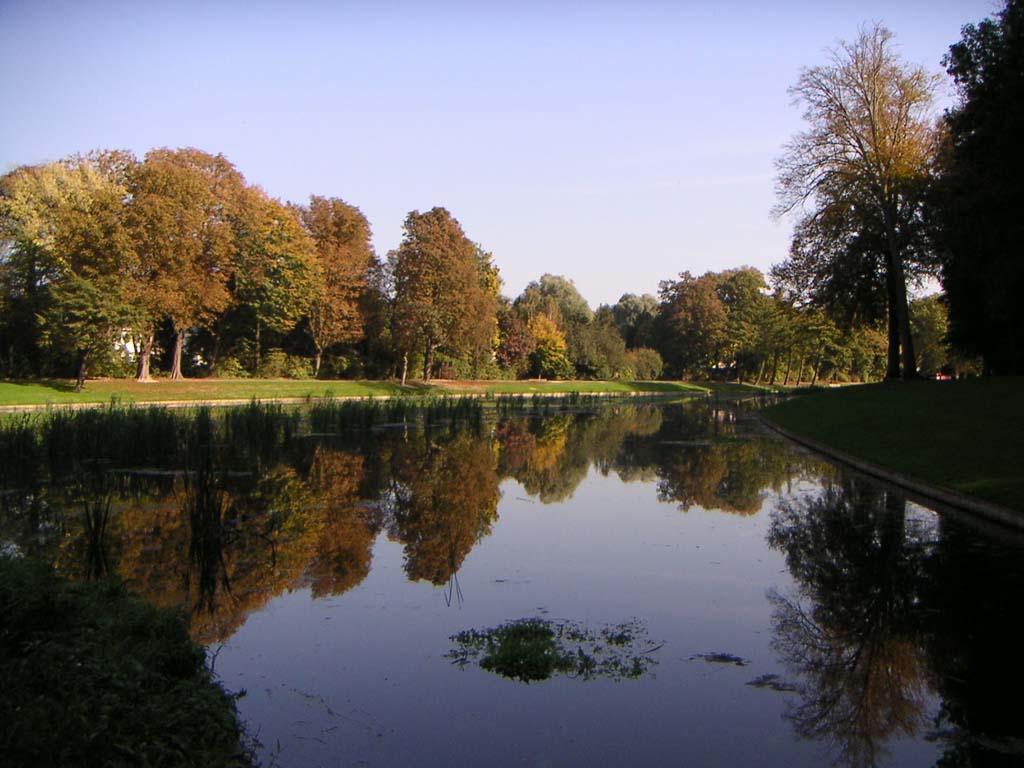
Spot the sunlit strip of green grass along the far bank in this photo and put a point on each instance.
(104, 391)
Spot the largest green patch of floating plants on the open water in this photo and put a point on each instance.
(532, 650)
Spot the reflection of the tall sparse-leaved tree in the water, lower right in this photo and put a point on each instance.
(852, 633)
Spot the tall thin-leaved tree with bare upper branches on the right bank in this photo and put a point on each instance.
(868, 152)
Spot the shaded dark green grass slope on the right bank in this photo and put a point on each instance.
(964, 436)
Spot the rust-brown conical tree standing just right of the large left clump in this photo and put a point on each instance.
(441, 298)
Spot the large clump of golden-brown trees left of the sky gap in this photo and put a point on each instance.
(106, 249)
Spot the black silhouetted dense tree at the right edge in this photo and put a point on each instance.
(982, 196)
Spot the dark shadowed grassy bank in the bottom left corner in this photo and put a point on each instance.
(95, 677)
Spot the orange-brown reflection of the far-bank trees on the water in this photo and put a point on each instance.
(238, 509)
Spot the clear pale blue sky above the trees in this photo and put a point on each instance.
(617, 144)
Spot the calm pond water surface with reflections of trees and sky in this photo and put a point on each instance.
(716, 596)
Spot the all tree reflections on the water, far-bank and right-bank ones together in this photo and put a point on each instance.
(890, 613)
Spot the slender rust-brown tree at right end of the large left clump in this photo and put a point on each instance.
(346, 255)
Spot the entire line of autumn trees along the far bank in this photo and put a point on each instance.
(178, 258)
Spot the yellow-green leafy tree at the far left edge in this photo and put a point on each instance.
(69, 259)
